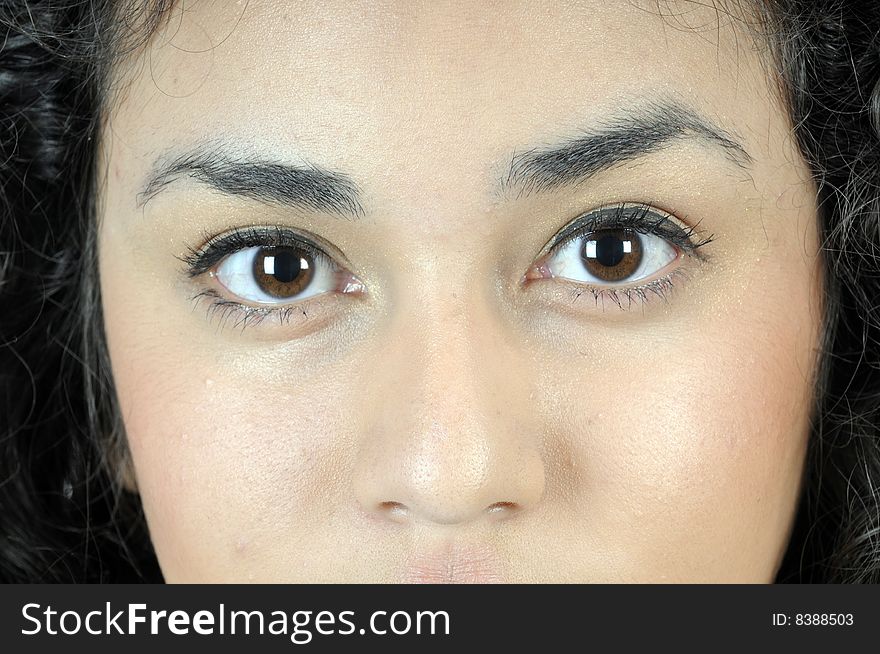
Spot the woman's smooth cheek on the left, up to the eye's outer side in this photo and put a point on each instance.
(226, 447)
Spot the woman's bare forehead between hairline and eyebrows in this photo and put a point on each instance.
(404, 84)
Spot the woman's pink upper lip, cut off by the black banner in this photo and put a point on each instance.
(455, 564)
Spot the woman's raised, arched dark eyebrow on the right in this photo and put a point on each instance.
(626, 137)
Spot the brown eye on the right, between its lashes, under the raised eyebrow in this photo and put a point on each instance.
(610, 257)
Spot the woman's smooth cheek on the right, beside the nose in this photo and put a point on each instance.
(690, 443)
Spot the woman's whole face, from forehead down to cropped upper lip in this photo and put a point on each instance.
(356, 336)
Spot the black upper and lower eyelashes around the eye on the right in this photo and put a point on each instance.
(643, 219)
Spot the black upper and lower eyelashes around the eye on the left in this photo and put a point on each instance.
(201, 261)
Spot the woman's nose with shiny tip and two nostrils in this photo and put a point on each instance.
(451, 439)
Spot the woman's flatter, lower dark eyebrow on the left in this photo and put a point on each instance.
(305, 186)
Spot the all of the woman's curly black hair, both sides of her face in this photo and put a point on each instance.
(64, 513)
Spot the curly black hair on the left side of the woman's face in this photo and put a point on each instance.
(64, 515)
